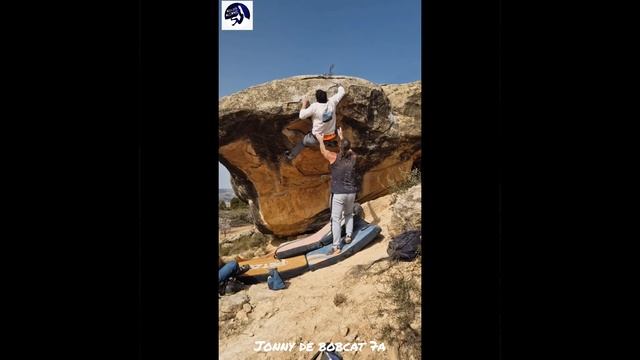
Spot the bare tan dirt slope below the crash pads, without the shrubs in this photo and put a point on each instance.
(305, 311)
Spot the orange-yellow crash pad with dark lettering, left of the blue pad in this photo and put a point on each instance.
(260, 266)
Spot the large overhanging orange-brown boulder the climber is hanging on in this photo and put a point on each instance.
(257, 125)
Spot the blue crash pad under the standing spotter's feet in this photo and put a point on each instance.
(363, 234)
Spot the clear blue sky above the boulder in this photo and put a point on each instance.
(378, 40)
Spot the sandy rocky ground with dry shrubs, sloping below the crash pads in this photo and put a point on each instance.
(366, 297)
